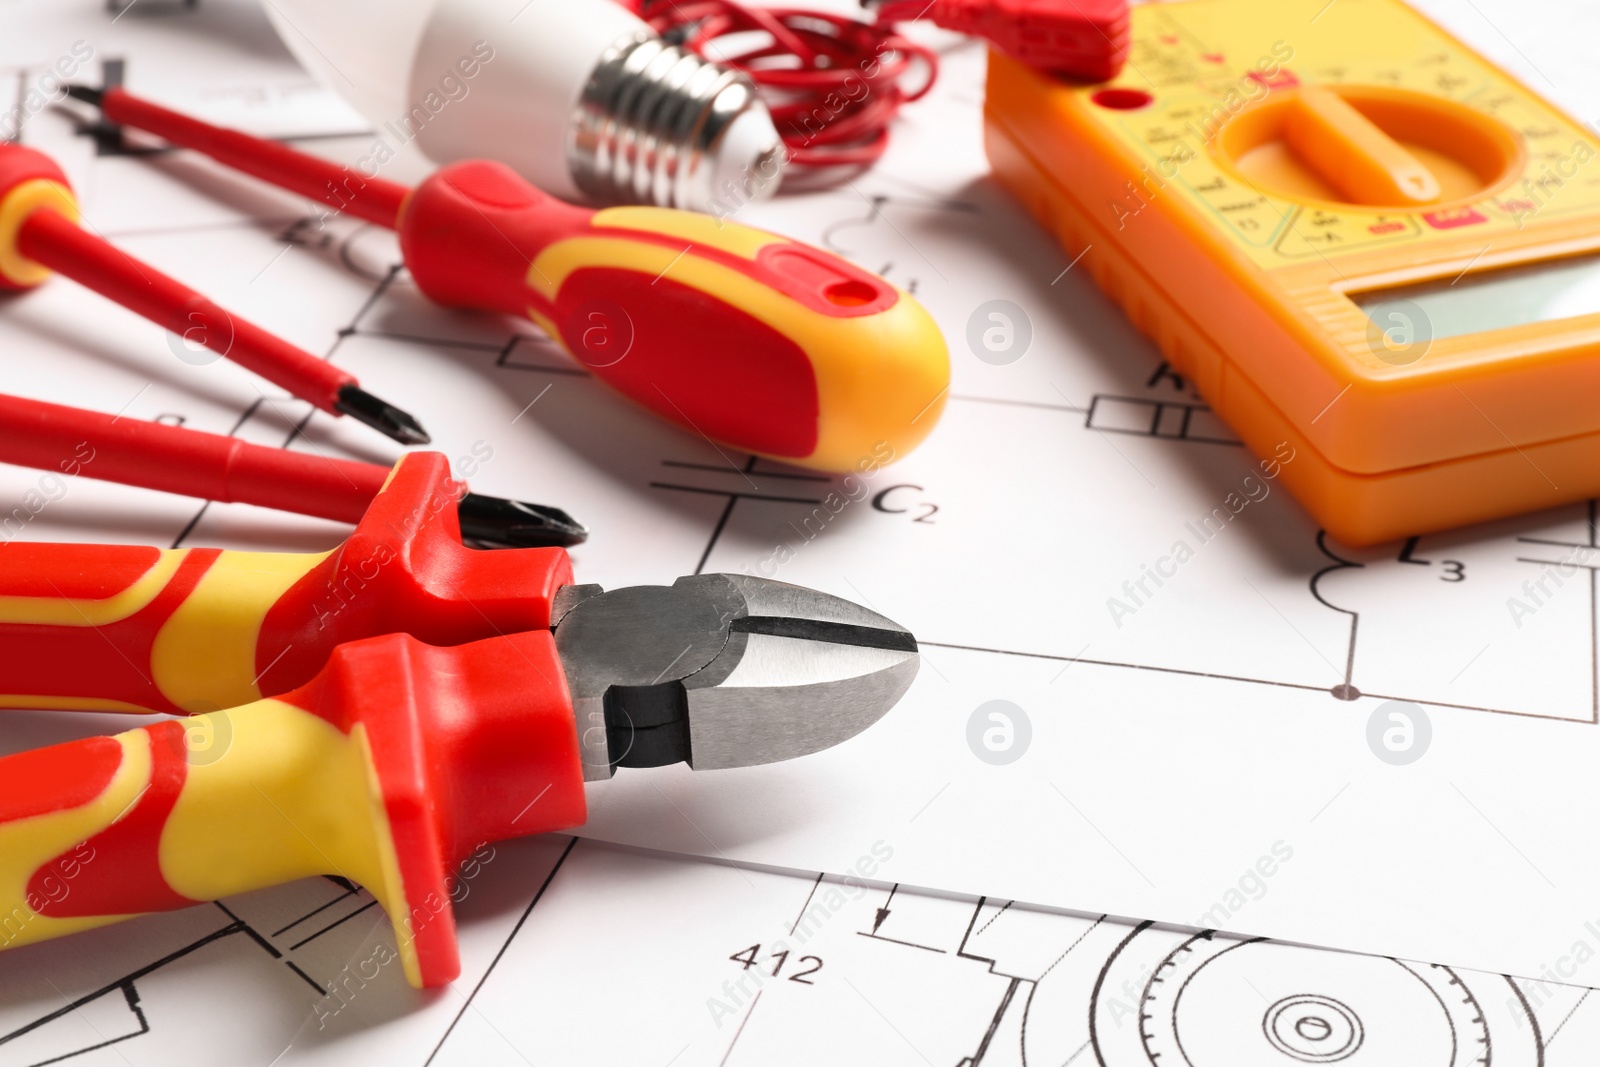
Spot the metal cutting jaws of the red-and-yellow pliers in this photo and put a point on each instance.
(722, 671)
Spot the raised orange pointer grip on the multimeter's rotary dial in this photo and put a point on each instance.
(1353, 154)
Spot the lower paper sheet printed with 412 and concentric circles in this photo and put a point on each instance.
(582, 953)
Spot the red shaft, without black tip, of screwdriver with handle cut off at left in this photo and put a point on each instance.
(65, 247)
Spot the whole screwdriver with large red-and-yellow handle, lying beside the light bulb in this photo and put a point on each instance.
(737, 335)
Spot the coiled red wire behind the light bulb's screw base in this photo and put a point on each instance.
(833, 84)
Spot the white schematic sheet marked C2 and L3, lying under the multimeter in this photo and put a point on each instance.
(1177, 749)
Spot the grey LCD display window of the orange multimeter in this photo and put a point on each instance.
(1489, 300)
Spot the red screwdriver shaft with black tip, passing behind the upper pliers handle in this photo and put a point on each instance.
(230, 471)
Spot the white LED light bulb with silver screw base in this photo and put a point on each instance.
(580, 97)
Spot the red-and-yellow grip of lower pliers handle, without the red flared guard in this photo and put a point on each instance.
(175, 813)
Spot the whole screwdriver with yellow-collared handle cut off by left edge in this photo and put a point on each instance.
(41, 234)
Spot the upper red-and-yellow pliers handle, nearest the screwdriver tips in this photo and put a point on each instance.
(204, 629)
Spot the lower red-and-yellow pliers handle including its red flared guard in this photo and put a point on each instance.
(391, 767)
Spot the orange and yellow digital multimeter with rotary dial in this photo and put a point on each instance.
(1353, 233)
